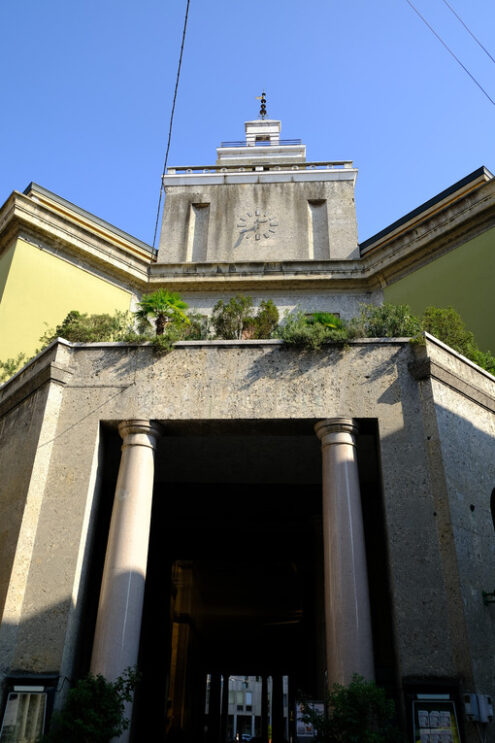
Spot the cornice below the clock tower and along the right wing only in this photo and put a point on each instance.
(458, 218)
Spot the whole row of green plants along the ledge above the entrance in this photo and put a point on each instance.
(235, 320)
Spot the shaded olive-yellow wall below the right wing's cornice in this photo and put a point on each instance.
(462, 279)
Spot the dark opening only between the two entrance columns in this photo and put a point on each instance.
(235, 557)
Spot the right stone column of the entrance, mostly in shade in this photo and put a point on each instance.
(349, 646)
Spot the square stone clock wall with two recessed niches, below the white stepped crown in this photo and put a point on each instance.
(297, 220)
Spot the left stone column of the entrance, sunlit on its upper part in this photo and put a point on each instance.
(118, 624)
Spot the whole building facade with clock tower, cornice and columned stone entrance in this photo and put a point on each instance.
(242, 509)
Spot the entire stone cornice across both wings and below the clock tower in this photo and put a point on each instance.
(463, 214)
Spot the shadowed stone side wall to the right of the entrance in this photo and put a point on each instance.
(438, 474)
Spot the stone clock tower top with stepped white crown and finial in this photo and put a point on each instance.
(262, 202)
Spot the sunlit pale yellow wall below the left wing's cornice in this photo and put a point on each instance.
(39, 292)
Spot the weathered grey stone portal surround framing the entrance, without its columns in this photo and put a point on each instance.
(437, 460)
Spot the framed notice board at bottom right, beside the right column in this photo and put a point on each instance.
(435, 721)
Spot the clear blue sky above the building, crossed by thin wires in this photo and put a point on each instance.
(87, 89)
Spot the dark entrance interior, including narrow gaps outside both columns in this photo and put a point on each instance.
(235, 581)
